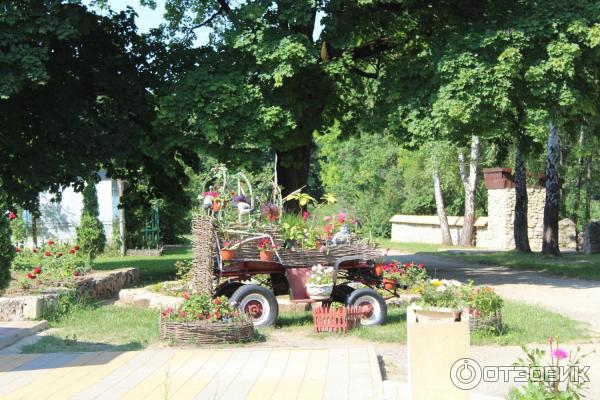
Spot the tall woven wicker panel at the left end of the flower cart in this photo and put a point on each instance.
(203, 245)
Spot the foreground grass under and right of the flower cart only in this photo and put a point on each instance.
(523, 324)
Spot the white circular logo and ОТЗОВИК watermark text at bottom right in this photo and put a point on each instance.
(466, 373)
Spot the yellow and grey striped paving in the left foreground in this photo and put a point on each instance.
(238, 373)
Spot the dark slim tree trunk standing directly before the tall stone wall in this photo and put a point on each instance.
(521, 203)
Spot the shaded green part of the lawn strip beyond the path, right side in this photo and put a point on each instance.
(568, 264)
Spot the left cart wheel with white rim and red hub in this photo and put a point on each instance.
(258, 302)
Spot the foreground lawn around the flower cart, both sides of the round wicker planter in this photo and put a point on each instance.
(110, 328)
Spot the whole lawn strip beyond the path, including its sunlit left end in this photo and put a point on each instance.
(568, 264)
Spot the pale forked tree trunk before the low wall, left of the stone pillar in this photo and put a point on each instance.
(470, 185)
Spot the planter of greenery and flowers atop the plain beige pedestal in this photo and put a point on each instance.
(441, 301)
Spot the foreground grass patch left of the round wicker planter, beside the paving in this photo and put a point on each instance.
(106, 328)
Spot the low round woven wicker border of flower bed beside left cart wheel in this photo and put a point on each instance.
(206, 332)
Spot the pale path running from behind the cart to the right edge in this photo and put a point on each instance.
(576, 298)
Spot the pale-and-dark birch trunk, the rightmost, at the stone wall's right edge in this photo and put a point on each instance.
(552, 206)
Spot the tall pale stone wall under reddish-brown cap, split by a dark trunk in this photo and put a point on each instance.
(501, 215)
